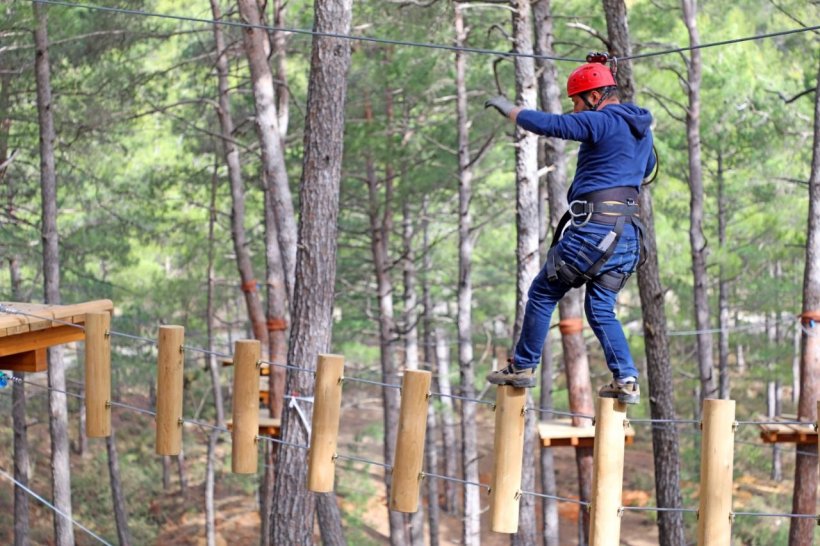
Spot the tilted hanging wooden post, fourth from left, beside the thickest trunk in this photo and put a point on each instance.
(327, 404)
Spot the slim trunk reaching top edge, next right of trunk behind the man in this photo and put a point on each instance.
(696, 239)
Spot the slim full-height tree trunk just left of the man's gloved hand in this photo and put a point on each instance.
(471, 531)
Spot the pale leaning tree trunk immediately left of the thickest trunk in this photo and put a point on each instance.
(270, 137)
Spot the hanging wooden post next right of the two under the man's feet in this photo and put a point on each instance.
(716, 462)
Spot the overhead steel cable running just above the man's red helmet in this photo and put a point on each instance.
(428, 45)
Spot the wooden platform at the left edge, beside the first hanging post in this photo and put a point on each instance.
(24, 339)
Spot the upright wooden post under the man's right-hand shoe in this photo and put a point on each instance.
(607, 473)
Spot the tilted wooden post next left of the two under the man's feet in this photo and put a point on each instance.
(407, 465)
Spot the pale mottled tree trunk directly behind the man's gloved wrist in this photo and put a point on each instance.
(527, 229)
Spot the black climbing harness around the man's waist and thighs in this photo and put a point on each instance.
(615, 206)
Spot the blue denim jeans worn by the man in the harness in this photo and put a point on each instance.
(599, 304)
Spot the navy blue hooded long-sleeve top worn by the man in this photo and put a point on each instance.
(616, 144)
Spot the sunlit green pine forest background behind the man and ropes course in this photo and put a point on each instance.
(145, 210)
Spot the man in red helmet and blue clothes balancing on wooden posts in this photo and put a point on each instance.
(598, 241)
